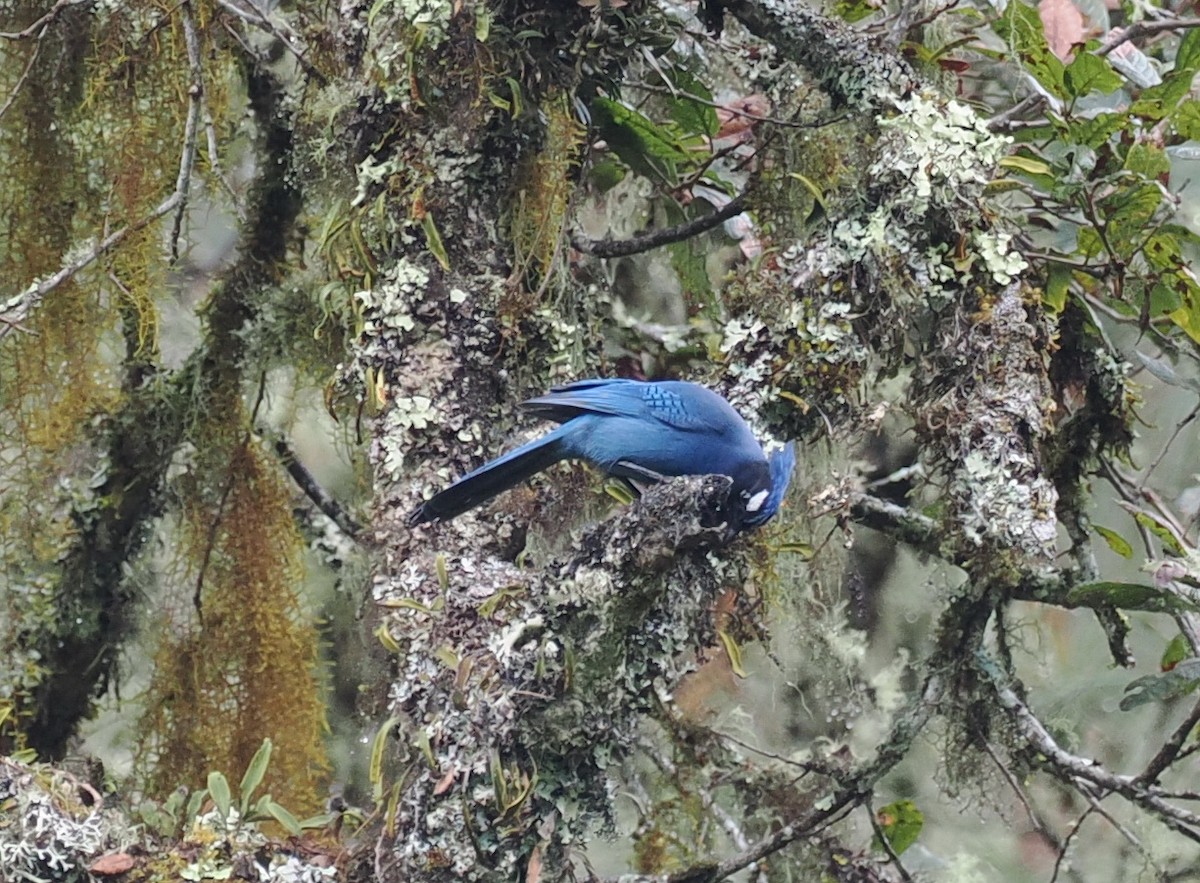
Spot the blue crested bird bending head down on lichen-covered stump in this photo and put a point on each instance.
(643, 433)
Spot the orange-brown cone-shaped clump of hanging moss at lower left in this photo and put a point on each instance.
(239, 662)
